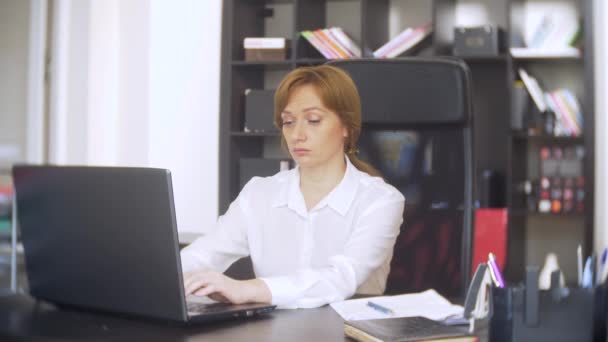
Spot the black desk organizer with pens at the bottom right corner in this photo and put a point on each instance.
(525, 313)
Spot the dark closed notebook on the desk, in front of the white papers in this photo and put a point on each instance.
(403, 329)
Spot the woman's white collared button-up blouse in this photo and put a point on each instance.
(307, 258)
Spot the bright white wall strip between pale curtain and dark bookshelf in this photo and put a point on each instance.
(184, 104)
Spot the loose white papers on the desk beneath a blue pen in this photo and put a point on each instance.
(428, 304)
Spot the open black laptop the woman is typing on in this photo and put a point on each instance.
(105, 238)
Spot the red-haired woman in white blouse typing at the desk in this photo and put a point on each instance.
(318, 233)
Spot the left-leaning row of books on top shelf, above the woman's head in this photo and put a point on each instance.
(332, 43)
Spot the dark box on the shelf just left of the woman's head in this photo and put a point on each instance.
(259, 111)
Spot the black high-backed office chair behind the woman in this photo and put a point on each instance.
(417, 130)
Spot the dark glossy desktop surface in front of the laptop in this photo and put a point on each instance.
(24, 318)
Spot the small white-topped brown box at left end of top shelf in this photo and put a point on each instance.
(264, 49)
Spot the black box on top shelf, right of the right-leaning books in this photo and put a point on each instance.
(485, 40)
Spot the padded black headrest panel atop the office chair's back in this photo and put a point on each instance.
(412, 91)
